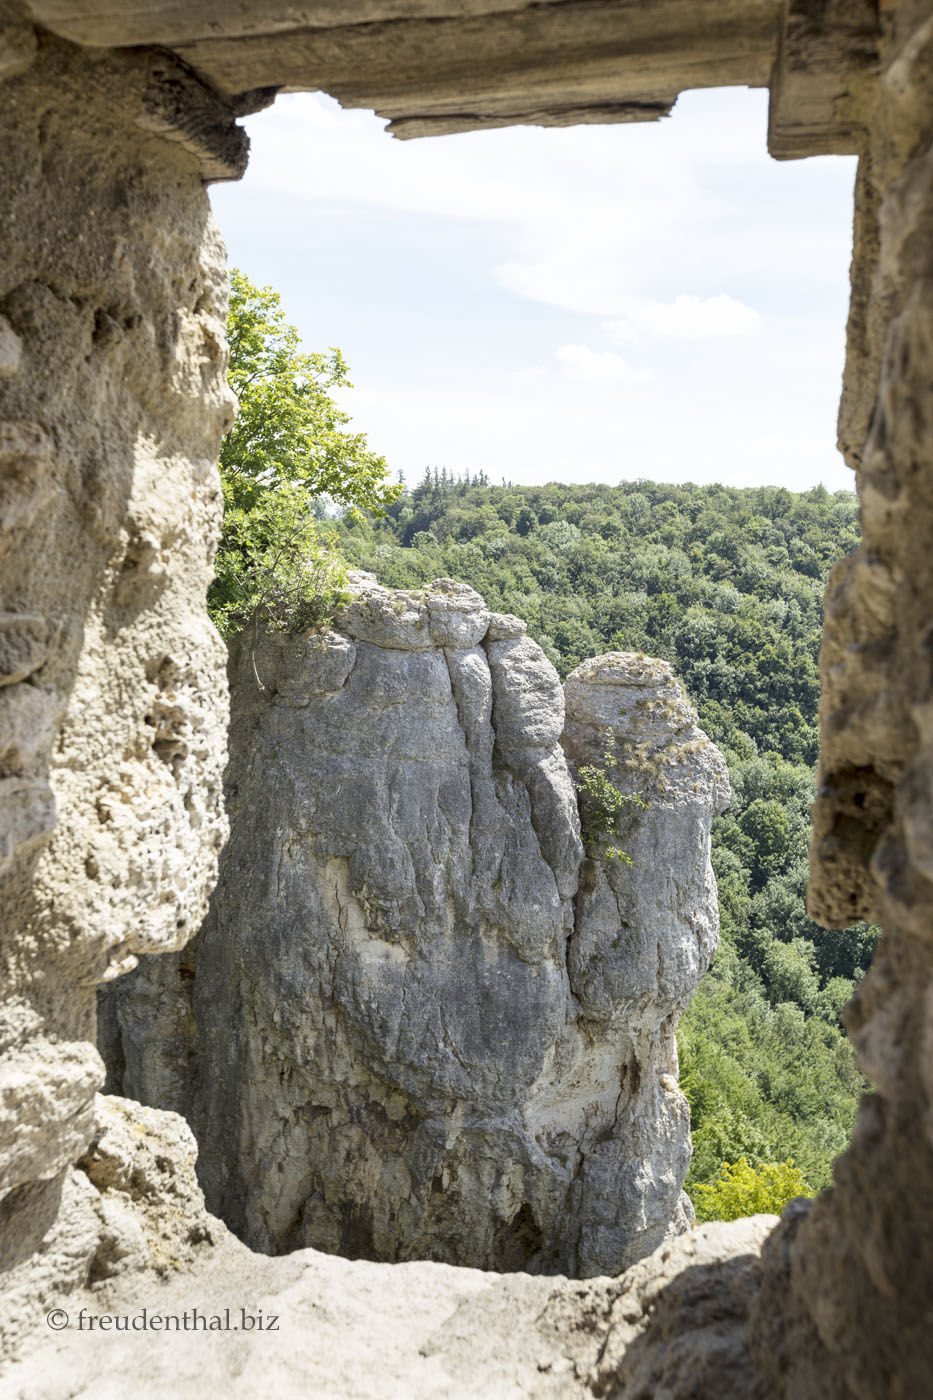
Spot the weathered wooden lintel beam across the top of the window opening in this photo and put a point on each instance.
(436, 66)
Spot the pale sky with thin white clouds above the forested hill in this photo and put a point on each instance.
(600, 303)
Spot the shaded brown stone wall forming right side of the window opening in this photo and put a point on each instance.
(848, 1297)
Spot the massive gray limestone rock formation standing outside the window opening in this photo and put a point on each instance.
(425, 1024)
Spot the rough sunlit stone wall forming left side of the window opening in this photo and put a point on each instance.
(113, 692)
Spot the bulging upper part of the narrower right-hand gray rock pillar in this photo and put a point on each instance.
(647, 933)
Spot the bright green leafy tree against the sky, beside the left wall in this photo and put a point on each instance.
(288, 450)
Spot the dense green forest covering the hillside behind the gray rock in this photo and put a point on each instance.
(726, 584)
